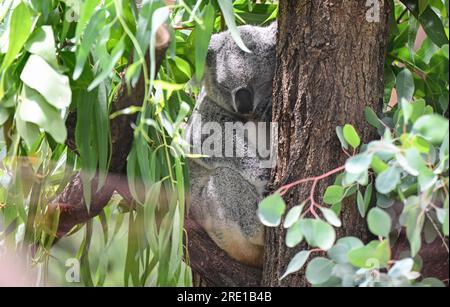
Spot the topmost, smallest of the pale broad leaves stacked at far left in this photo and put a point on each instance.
(42, 43)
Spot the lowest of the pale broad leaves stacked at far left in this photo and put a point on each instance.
(34, 109)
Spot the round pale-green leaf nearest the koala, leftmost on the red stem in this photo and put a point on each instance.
(271, 209)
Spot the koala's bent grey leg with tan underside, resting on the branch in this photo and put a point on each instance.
(225, 205)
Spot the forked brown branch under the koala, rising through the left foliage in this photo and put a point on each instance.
(206, 258)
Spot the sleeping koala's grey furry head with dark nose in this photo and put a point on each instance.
(238, 81)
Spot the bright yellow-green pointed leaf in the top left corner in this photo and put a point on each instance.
(21, 25)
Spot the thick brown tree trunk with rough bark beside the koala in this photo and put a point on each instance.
(330, 65)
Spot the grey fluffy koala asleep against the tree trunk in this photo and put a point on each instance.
(226, 190)
